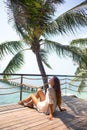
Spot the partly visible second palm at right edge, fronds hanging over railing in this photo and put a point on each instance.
(81, 71)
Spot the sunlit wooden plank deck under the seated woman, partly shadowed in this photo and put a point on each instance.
(17, 117)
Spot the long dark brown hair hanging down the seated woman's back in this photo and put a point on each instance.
(57, 90)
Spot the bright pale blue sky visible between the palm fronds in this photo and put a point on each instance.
(60, 66)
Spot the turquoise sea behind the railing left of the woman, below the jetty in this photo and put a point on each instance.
(7, 98)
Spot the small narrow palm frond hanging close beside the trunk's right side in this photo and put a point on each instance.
(43, 55)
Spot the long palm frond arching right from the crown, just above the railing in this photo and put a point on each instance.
(64, 50)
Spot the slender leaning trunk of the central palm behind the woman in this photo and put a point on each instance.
(42, 71)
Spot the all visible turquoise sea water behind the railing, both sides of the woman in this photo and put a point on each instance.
(14, 98)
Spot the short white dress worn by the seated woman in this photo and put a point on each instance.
(43, 106)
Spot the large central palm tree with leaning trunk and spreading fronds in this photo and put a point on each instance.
(34, 20)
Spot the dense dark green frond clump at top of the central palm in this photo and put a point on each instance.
(29, 14)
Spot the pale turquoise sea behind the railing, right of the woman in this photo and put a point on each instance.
(73, 89)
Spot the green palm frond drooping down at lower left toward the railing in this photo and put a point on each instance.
(15, 64)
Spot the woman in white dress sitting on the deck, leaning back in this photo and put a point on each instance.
(48, 102)
